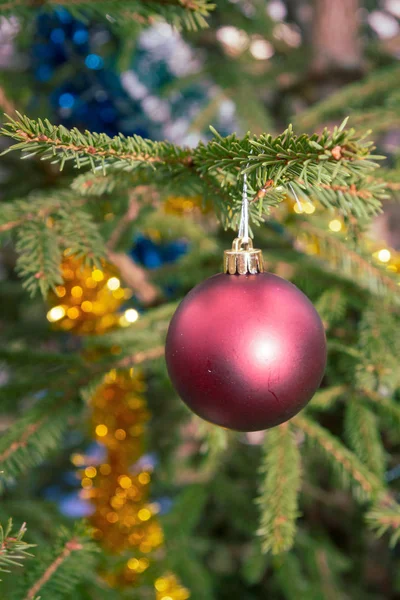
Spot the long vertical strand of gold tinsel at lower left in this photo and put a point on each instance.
(123, 519)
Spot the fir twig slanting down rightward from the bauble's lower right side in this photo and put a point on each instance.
(351, 470)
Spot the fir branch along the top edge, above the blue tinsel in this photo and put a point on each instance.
(189, 14)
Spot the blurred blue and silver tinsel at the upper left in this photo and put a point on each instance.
(105, 100)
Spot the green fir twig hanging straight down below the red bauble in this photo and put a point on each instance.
(279, 490)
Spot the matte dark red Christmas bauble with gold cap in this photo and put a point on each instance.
(245, 349)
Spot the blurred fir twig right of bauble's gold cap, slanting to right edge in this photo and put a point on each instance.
(347, 262)
